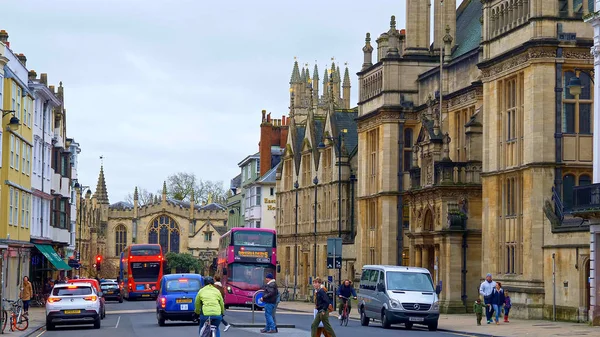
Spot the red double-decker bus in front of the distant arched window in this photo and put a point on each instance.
(141, 268)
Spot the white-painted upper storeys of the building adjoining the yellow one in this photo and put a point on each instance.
(41, 180)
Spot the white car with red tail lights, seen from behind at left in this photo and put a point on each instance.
(73, 304)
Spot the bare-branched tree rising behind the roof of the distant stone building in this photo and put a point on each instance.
(181, 185)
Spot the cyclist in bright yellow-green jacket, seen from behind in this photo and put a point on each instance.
(209, 304)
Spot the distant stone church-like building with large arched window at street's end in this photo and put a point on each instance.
(180, 227)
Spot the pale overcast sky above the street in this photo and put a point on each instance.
(163, 86)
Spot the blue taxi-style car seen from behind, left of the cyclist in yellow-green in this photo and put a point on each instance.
(176, 296)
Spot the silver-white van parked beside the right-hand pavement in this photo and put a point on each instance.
(396, 294)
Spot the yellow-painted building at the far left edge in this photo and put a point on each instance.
(15, 175)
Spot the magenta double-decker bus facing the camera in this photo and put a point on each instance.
(246, 256)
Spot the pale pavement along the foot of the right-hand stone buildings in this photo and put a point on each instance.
(467, 324)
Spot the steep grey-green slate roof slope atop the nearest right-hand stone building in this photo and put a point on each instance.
(468, 27)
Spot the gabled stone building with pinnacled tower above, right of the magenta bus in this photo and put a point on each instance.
(310, 169)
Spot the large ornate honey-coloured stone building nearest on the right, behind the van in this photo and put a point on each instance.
(487, 160)
